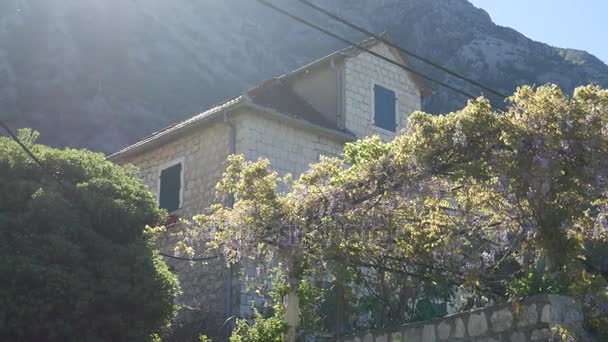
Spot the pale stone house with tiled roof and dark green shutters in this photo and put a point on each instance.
(292, 120)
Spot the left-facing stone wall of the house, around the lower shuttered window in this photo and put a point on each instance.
(203, 284)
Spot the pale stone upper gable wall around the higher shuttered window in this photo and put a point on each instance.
(361, 73)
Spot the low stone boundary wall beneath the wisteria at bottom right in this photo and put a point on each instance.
(527, 320)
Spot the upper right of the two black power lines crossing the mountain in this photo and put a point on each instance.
(408, 52)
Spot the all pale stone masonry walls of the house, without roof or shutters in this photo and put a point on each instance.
(290, 148)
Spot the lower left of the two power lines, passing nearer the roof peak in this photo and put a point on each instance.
(362, 48)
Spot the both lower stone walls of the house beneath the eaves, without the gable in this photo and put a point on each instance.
(291, 149)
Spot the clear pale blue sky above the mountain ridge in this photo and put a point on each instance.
(577, 24)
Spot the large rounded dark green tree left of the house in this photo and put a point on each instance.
(75, 261)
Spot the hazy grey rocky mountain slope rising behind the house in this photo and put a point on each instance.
(103, 73)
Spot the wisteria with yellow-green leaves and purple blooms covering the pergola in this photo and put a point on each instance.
(499, 204)
